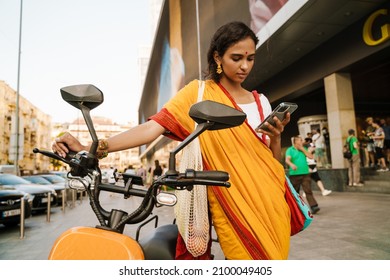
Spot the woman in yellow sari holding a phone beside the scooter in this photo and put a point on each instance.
(251, 218)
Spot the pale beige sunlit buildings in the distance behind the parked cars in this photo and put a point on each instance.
(36, 130)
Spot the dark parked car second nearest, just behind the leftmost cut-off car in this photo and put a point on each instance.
(39, 192)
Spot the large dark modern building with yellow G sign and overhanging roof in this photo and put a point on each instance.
(332, 58)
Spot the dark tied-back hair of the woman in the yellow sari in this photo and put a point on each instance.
(226, 36)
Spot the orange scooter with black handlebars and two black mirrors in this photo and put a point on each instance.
(106, 241)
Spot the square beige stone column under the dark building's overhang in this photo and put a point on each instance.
(341, 114)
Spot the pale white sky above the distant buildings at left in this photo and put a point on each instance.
(68, 42)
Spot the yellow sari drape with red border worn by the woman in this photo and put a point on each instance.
(251, 218)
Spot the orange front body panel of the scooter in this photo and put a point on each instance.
(86, 243)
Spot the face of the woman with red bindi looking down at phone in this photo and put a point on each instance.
(238, 60)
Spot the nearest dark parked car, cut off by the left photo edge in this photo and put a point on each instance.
(10, 206)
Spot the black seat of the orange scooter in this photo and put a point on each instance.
(160, 244)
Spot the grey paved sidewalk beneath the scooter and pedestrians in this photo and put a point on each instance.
(349, 226)
